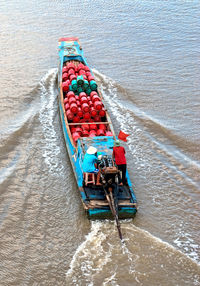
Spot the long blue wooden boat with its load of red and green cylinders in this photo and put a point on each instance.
(86, 123)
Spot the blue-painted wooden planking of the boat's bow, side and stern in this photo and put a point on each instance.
(70, 49)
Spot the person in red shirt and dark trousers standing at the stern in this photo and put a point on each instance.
(120, 160)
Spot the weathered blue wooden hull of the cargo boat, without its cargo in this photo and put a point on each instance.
(93, 197)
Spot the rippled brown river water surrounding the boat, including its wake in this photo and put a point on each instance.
(145, 56)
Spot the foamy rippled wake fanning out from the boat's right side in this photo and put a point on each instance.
(172, 162)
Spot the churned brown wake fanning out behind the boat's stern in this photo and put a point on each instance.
(100, 258)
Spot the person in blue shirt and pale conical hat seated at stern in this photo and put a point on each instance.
(89, 163)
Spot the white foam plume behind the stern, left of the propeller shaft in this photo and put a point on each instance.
(96, 253)
